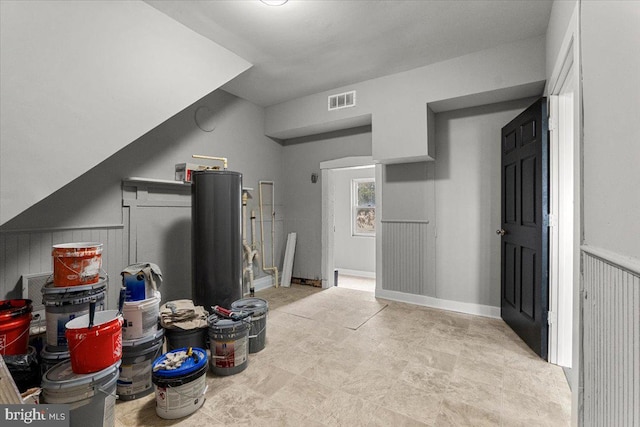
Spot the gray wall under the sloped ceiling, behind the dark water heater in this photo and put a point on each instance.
(95, 198)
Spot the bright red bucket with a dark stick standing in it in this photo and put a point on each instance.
(96, 348)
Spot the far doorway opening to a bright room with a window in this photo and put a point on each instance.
(349, 245)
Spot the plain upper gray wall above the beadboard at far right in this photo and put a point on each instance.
(611, 98)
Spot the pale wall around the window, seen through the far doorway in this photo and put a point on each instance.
(351, 252)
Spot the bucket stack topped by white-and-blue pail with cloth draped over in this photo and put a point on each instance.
(142, 340)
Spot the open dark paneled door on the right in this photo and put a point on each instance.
(524, 232)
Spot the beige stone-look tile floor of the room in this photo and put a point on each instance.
(340, 357)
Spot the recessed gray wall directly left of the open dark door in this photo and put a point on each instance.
(467, 201)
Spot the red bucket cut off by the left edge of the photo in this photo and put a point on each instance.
(15, 319)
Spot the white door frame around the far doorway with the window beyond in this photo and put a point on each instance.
(328, 211)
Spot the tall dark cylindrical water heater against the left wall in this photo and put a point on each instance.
(216, 236)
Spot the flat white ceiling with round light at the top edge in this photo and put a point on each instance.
(309, 46)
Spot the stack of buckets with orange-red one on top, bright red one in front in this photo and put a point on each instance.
(91, 340)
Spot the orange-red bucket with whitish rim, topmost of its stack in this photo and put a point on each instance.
(76, 263)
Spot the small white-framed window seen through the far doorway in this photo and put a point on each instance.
(363, 211)
